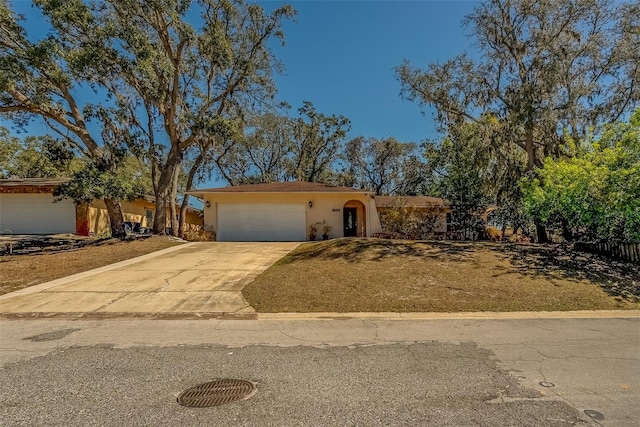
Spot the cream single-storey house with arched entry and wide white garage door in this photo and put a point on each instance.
(286, 211)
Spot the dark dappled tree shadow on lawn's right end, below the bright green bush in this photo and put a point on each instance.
(617, 278)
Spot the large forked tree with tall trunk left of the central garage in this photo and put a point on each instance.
(194, 83)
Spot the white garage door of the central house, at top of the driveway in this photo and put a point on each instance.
(261, 222)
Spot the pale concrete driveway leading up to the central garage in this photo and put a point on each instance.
(195, 279)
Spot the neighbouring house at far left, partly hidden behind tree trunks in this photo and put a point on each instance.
(27, 206)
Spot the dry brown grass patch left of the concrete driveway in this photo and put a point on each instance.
(22, 271)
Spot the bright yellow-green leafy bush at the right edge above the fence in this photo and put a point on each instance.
(595, 195)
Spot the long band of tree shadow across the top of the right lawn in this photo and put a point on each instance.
(550, 262)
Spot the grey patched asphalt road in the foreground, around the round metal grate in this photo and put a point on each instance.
(323, 372)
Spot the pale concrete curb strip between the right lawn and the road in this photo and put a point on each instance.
(587, 314)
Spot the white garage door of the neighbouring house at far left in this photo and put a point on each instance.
(36, 214)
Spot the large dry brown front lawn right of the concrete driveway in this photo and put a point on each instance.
(352, 275)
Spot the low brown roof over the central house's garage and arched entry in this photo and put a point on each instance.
(280, 187)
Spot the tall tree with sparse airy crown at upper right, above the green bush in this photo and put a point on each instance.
(546, 71)
